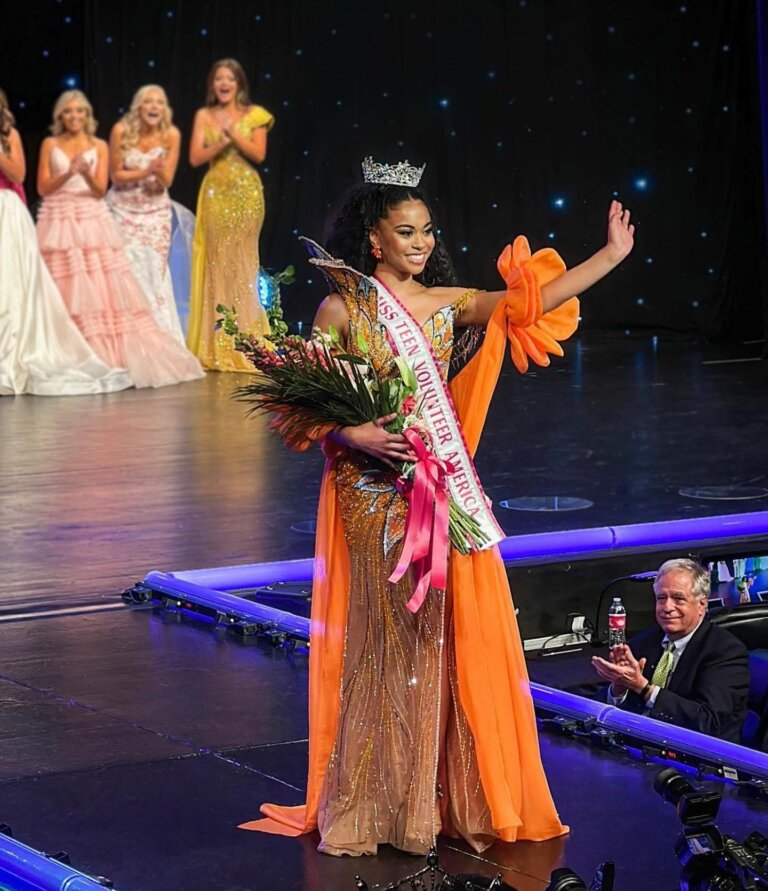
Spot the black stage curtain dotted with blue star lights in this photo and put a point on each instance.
(531, 115)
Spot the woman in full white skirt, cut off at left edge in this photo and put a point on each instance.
(41, 350)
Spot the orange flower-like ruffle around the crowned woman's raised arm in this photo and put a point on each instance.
(532, 334)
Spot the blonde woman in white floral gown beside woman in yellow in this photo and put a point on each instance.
(143, 157)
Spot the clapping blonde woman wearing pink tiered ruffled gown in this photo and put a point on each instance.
(84, 251)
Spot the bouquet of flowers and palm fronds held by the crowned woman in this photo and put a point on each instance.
(314, 386)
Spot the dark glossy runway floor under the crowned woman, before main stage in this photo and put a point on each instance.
(137, 742)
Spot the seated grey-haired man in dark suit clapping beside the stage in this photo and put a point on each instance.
(687, 671)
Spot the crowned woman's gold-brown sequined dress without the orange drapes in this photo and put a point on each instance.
(402, 736)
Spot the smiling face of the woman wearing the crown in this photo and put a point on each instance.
(406, 238)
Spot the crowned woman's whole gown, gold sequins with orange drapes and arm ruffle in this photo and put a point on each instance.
(421, 723)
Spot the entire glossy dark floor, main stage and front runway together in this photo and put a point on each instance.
(138, 741)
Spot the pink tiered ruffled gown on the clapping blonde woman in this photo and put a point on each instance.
(83, 248)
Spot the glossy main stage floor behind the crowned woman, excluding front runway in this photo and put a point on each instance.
(97, 491)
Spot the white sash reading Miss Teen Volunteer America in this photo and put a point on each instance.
(438, 412)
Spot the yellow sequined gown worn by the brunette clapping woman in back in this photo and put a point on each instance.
(225, 255)
